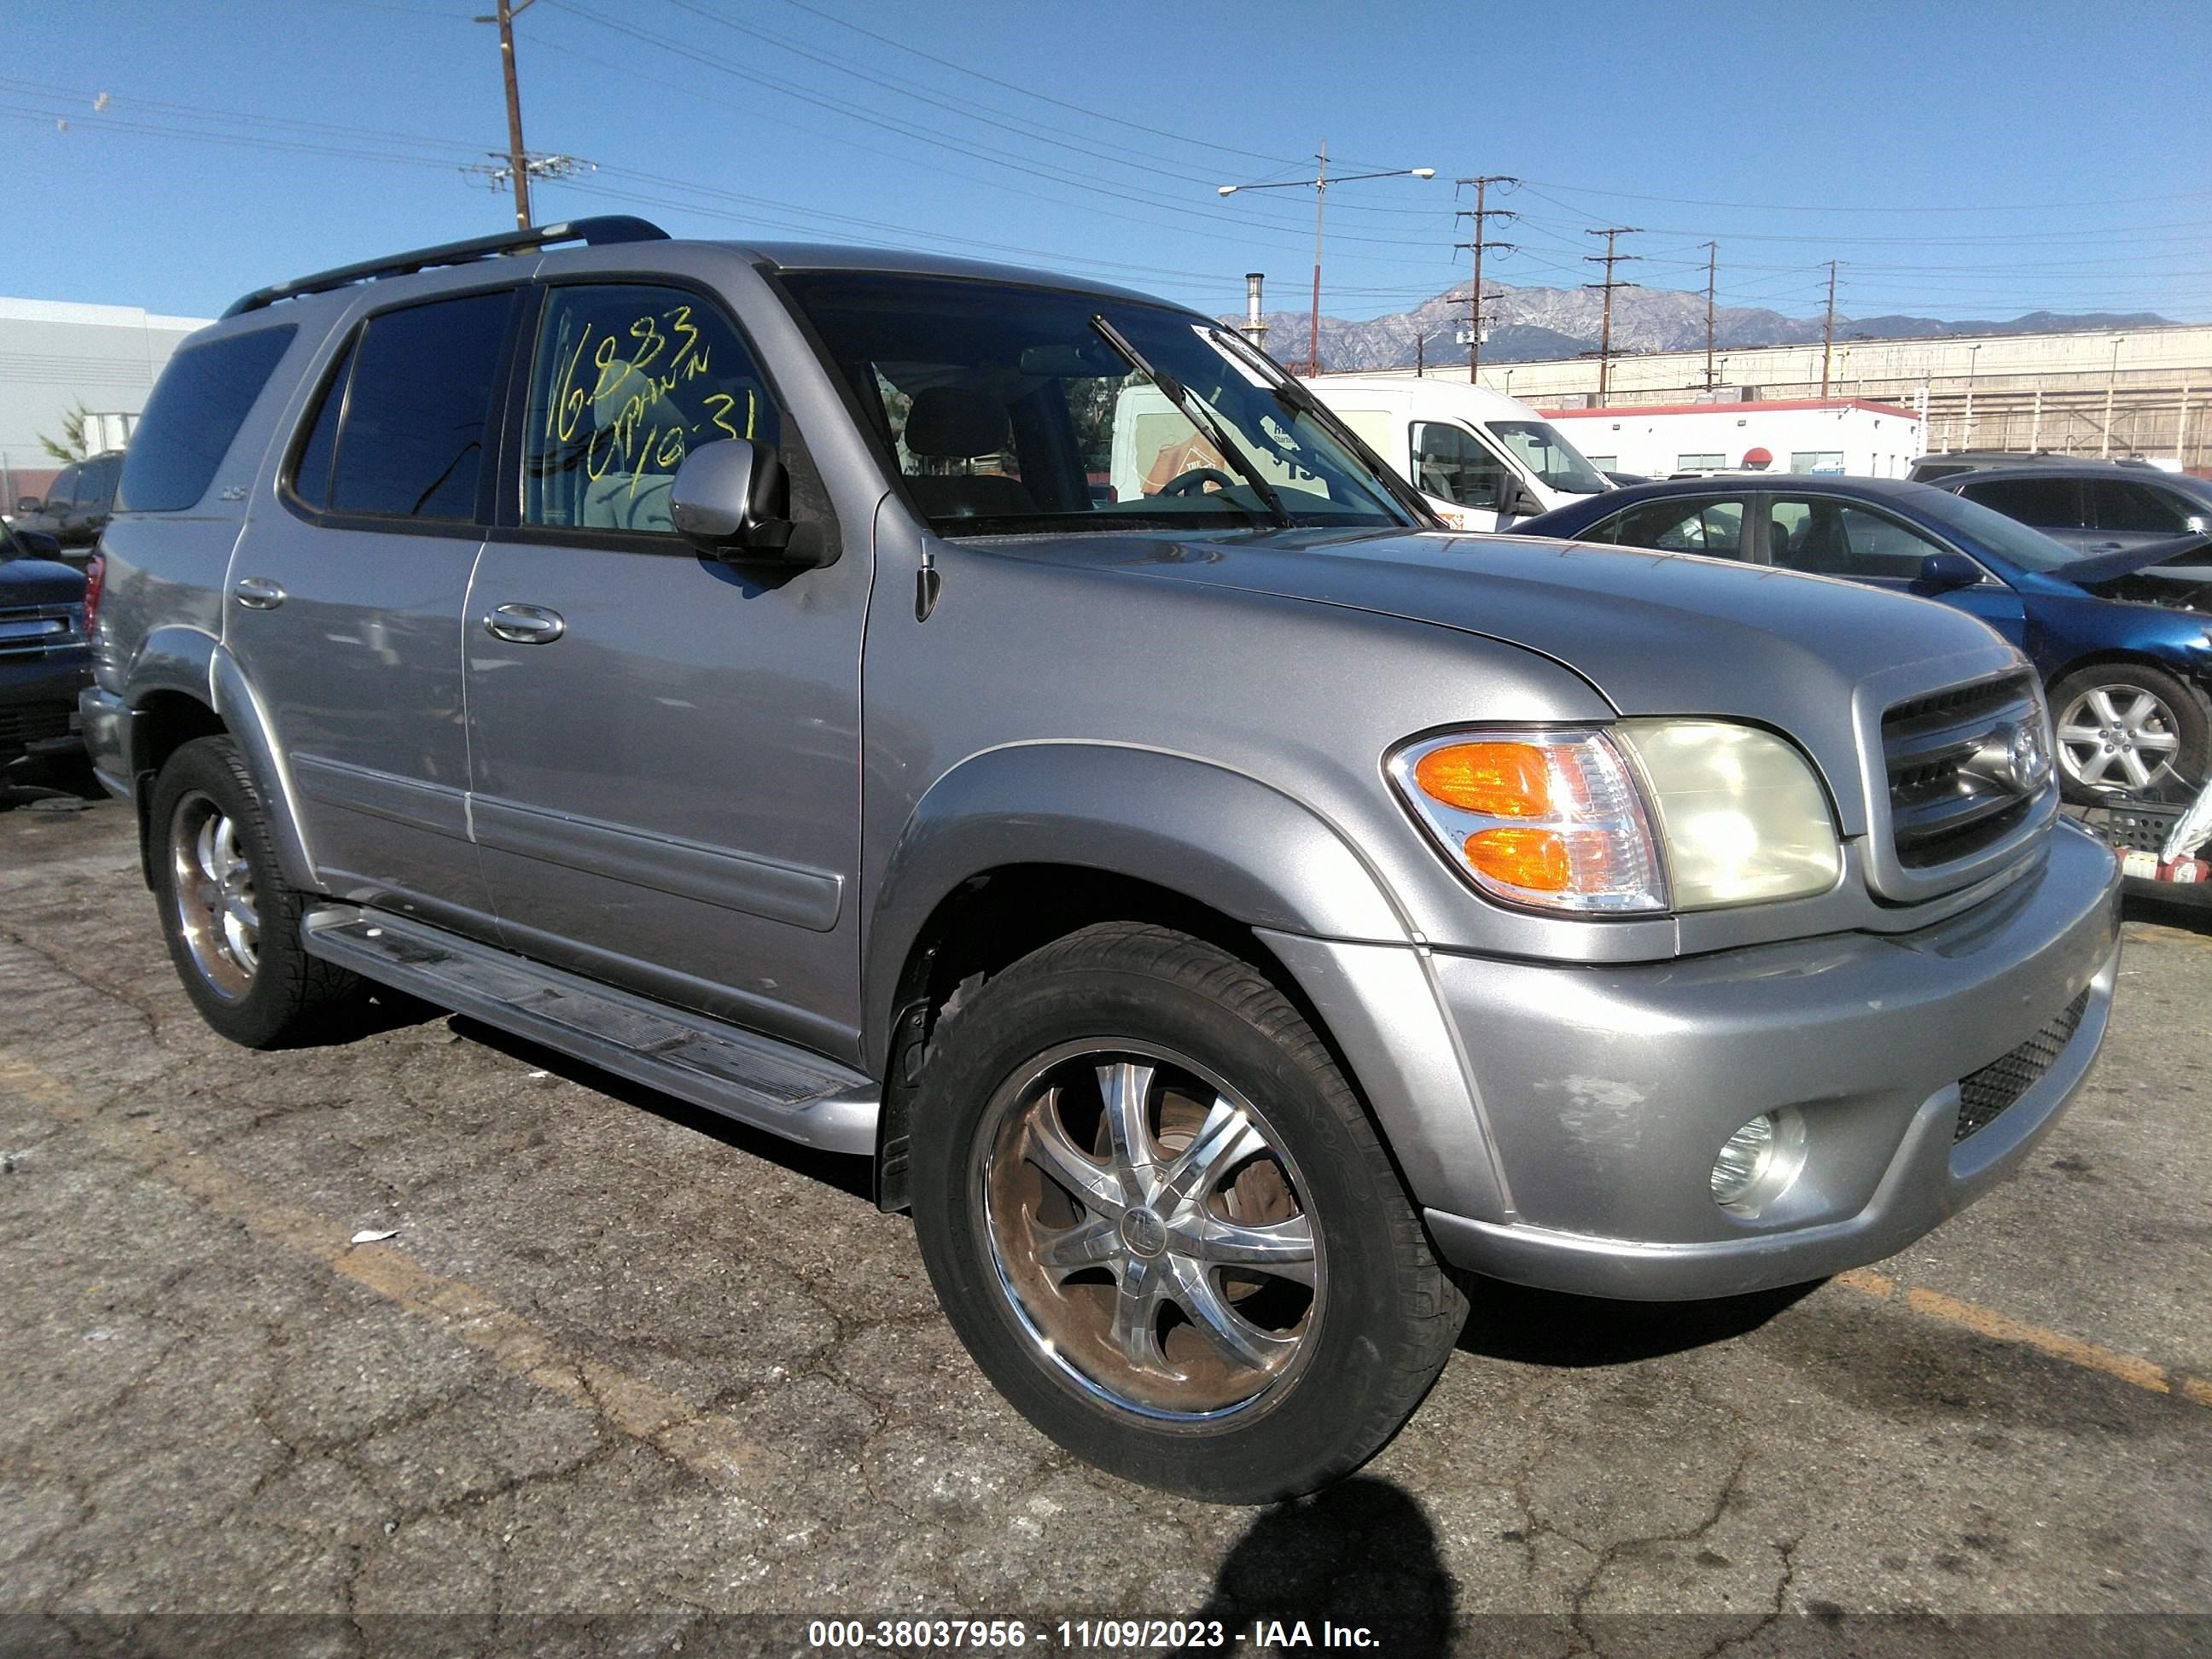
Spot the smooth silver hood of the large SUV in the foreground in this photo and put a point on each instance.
(1653, 634)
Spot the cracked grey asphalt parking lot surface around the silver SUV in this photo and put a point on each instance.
(623, 1359)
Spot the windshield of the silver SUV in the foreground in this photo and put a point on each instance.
(1021, 410)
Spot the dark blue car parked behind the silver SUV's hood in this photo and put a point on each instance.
(2120, 640)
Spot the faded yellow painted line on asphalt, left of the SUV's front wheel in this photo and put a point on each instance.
(702, 1441)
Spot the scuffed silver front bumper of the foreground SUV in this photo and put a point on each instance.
(1607, 1092)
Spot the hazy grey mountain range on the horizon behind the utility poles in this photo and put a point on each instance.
(1530, 324)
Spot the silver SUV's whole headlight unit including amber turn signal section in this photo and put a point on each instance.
(1631, 820)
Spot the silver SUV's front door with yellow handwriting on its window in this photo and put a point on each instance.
(667, 749)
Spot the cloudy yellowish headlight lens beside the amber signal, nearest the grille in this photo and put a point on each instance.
(1742, 813)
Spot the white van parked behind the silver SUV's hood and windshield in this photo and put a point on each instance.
(1479, 457)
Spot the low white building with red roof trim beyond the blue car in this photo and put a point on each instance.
(1788, 437)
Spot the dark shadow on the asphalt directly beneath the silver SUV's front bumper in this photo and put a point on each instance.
(1580, 1333)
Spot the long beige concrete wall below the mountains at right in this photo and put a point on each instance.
(1985, 393)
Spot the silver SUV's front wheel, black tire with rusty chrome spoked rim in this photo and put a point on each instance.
(1147, 1337)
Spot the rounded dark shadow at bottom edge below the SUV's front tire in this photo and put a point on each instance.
(1359, 1556)
